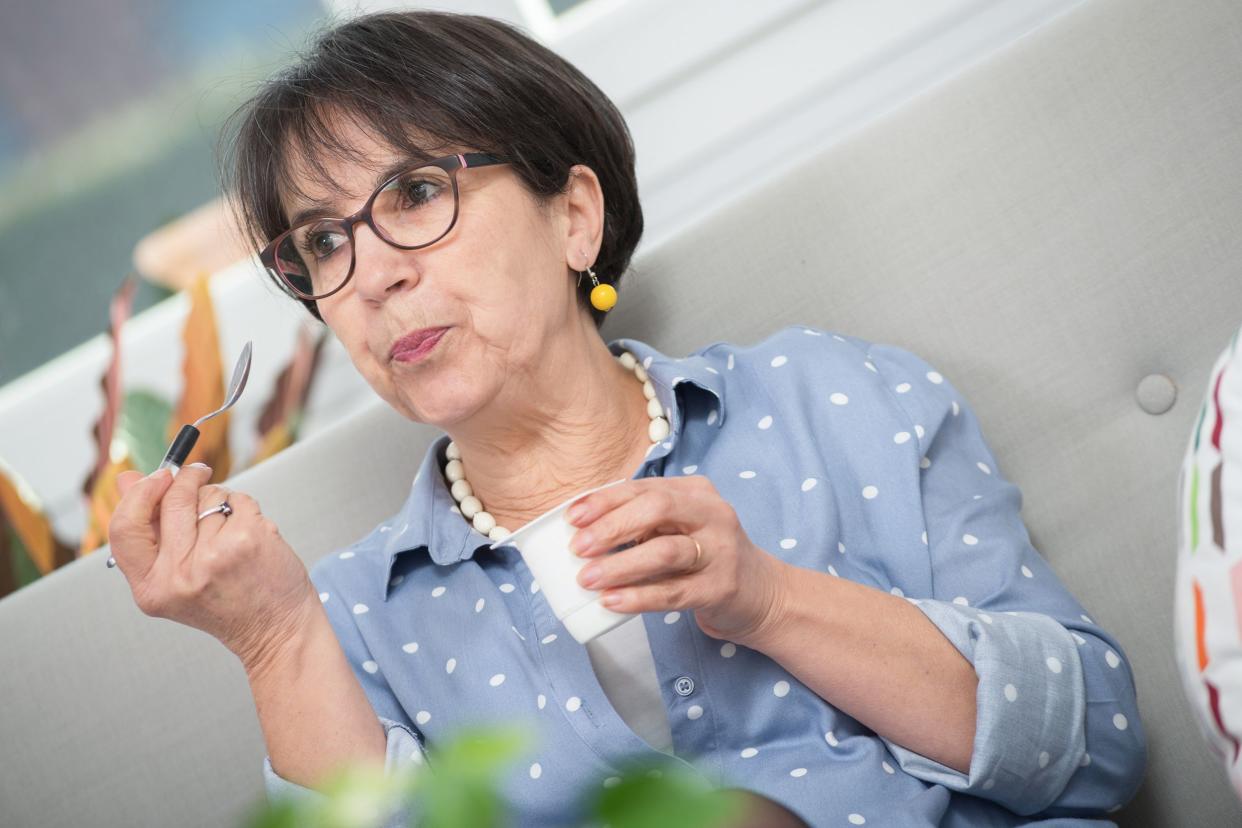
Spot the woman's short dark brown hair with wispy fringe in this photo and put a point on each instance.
(455, 79)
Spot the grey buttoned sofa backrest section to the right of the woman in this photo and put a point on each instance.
(1050, 230)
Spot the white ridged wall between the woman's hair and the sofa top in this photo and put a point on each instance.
(721, 96)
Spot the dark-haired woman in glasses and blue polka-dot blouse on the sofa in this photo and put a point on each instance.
(841, 608)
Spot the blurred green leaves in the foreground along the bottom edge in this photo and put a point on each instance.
(459, 788)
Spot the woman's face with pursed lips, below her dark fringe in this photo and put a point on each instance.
(500, 281)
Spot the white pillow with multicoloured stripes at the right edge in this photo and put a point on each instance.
(1209, 599)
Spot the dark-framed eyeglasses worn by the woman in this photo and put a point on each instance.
(413, 209)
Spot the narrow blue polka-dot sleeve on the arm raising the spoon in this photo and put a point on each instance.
(406, 747)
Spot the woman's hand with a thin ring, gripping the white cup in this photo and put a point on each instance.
(735, 588)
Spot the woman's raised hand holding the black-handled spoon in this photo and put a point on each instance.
(234, 578)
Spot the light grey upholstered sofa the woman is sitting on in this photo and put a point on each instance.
(1059, 229)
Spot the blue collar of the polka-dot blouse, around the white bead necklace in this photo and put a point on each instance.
(427, 522)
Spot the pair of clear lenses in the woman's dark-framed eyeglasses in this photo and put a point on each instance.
(414, 209)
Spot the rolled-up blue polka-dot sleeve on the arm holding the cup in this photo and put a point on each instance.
(1058, 727)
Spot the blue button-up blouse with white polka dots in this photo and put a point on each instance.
(841, 456)
